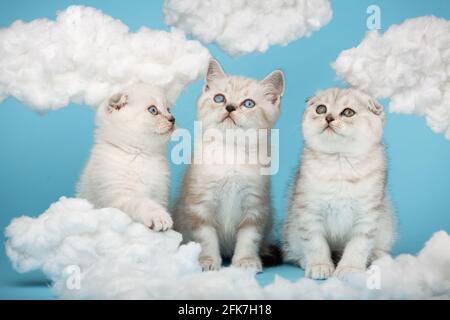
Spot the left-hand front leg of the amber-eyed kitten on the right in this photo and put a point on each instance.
(307, 244)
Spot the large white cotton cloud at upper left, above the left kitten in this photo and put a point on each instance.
(84, 56)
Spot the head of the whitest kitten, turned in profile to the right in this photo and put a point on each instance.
(140, 110)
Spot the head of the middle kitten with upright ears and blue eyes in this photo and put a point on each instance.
(229, 102)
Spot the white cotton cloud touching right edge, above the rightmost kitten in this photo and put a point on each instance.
(410, 64)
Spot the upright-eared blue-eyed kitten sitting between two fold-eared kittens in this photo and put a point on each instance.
(225, 206)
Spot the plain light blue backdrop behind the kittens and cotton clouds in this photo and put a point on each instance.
(42, 156)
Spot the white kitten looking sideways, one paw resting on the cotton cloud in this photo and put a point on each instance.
(127, 168)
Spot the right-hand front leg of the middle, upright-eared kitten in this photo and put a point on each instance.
(248, 242)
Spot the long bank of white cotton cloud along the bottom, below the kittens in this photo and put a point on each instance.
(122, 259)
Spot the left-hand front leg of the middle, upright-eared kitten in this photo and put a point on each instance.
(209, 258)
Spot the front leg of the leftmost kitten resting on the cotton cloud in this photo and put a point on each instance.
(146, 211)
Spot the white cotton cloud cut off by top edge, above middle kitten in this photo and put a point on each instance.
(241, 27)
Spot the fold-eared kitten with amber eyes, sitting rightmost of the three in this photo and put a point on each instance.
(339, 202)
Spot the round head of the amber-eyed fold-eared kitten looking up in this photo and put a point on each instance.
(342, 121)
